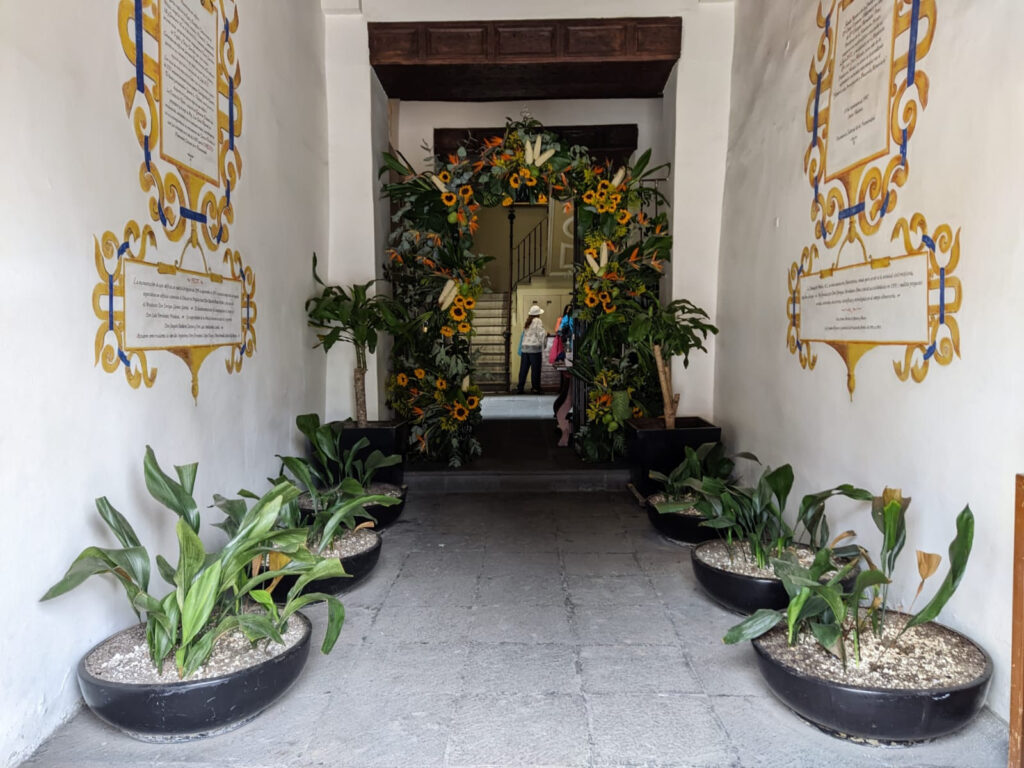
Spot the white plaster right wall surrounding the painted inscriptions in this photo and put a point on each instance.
(959, 437)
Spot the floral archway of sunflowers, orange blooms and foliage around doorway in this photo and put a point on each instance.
(437, 275)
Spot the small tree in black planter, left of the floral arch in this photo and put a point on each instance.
(353, 316)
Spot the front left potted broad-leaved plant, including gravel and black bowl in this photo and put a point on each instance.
(215, 651)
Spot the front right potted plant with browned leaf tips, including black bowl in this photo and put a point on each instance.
(841, 658)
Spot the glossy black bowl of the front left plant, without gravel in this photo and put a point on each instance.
(189, 711)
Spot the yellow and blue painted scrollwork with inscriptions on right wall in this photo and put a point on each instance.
(868, 89)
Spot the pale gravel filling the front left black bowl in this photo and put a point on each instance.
(125, 657)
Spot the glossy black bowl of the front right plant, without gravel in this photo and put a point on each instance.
(879, 714)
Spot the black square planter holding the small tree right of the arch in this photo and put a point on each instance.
(650, 446)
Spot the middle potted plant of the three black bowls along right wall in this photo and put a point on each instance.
(736, 570)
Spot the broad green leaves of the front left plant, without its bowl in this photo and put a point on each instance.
(212, 593)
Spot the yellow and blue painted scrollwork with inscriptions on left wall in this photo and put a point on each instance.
(187, 113)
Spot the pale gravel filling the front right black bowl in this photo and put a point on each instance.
(927, 657)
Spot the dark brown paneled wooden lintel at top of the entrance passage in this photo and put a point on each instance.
(508, 61)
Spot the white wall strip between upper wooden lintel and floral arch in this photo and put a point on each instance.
(419, 119)
